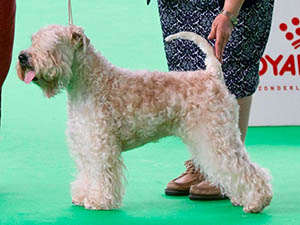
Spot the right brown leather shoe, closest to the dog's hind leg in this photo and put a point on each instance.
(205, 191)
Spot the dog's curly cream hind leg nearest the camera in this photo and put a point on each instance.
(219, 152)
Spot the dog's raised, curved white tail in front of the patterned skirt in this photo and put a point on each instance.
(211, 62)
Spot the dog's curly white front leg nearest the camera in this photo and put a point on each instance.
(104, 168)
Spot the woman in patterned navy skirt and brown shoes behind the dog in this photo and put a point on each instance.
(240, 29)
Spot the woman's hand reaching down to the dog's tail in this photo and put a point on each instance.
(220, 30)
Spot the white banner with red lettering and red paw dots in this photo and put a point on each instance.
(277, 100)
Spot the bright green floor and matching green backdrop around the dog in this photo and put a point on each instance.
(35, 167)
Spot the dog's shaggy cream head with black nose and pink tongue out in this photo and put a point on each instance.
(48, 61)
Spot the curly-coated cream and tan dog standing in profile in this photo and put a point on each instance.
(112, 110)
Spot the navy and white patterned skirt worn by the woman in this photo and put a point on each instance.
(243, 51)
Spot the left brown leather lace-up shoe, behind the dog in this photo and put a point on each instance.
(181, 185)
